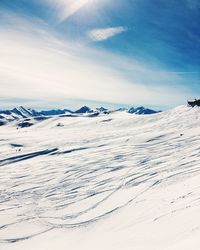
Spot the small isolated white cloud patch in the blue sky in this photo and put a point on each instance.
(106, 33)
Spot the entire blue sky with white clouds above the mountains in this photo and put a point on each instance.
(58, 53)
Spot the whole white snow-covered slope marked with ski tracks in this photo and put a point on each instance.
(113, 182)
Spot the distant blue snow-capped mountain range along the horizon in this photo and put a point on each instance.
(26, 114)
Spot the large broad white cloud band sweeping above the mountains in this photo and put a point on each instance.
(37, 65)
